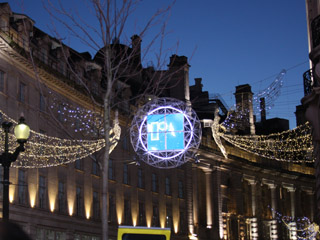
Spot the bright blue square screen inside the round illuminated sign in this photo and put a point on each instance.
(165, 132)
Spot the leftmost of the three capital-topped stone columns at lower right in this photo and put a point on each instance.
(254, 235)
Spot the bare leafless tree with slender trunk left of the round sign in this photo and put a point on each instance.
(119, 63)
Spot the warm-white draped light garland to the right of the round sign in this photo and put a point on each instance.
(291, 146)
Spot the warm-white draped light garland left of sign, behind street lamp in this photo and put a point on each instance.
(45, 151)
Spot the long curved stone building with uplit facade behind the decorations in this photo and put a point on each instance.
(216, 198)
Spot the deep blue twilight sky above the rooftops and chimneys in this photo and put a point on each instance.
(227, 42)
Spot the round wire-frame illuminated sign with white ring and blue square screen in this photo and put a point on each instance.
(165, 133)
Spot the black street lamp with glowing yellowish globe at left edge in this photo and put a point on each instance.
(21, 132)
